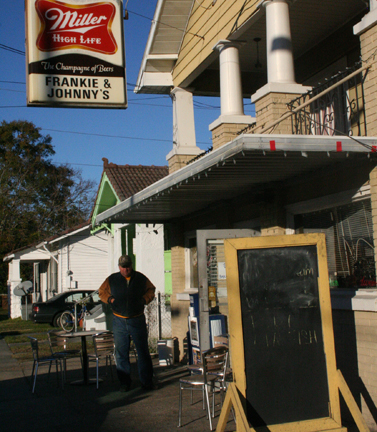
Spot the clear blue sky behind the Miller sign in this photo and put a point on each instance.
(139, 135)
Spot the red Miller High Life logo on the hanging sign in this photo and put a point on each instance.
(65, 26)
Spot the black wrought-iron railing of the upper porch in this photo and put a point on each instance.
(338, 111)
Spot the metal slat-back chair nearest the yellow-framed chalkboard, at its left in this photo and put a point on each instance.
(214, 365)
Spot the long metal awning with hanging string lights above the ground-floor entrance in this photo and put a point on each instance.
(248, 163)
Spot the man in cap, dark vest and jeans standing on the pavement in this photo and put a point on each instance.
(127, 292)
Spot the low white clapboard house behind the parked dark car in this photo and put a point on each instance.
(75, 259)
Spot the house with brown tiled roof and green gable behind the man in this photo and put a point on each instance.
(145, 243)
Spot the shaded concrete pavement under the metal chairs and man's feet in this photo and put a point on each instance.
(84, 408)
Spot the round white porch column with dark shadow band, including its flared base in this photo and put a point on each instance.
(280, 63)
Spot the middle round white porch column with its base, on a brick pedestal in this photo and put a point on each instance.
(231, 99)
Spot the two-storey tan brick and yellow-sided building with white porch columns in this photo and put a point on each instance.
(305, 163)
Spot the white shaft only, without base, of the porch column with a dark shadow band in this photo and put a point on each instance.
(280, 64)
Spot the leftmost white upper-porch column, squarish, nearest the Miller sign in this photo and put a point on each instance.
(184, 138)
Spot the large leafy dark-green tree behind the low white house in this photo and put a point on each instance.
(37, 198)
